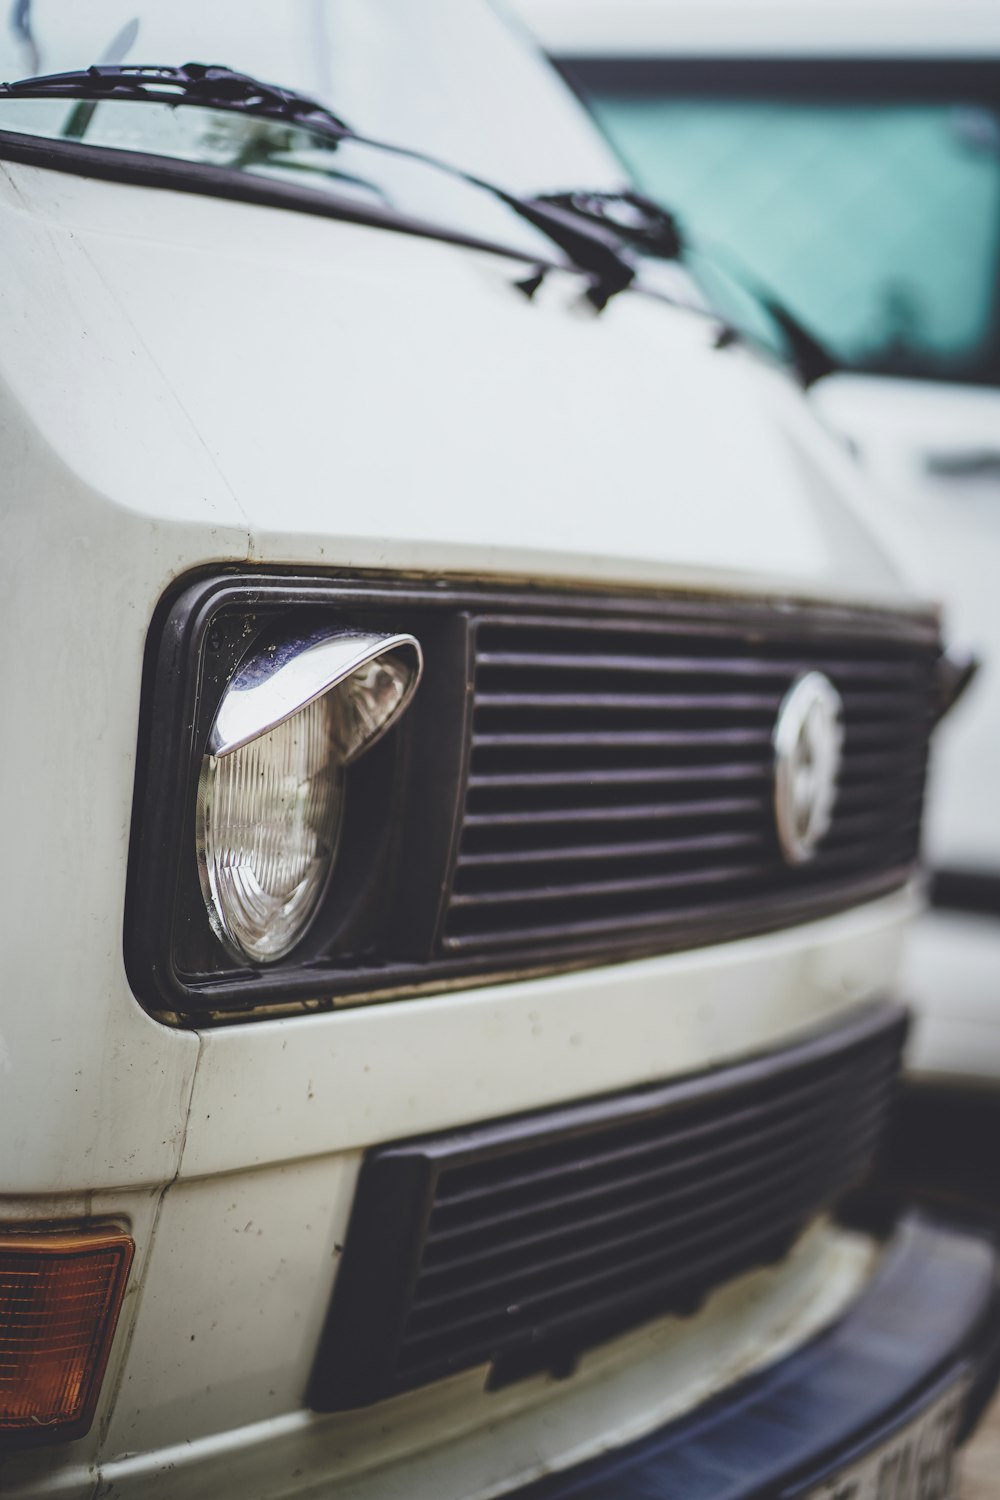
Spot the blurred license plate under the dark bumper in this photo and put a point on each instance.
(918, 1463)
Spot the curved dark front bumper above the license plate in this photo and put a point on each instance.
(930, 1318)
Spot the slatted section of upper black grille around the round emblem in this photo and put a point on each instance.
(621, 781)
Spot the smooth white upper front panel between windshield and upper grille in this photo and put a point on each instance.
(301, 391)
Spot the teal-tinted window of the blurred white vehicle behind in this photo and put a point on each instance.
(869, 196)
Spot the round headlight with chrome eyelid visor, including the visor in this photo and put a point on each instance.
(272, 787)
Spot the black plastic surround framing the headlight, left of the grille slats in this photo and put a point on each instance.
(382, 907)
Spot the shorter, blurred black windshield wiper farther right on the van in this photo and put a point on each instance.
(651, 230)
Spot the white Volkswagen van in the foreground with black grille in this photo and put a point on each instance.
(464, 760)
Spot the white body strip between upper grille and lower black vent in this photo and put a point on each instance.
(347, 1081)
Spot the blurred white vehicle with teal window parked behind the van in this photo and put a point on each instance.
(849, 158)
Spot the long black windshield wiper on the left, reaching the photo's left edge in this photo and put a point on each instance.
(591, 248)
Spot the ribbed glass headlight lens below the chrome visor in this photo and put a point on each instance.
(269, 820)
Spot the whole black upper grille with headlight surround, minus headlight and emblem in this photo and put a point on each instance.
(579, 779)
